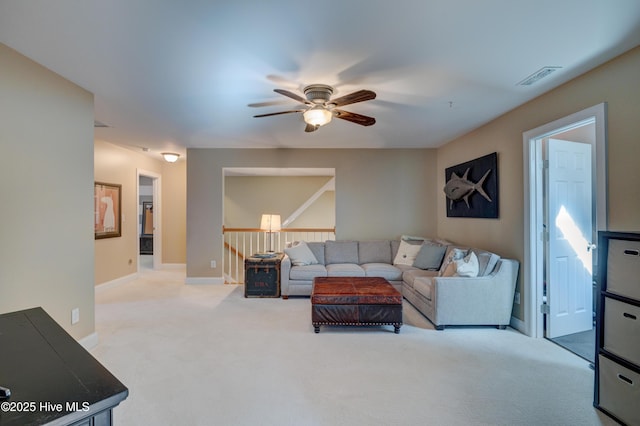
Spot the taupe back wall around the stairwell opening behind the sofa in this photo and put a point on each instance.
(379, 194)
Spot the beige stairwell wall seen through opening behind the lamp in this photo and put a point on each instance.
(248, 197)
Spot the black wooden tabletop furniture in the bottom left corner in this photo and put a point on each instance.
(53, 380)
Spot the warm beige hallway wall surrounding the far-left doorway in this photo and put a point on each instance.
(118, 257)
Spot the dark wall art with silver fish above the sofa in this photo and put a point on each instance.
(471, 188)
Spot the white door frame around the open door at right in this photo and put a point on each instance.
(533, 273)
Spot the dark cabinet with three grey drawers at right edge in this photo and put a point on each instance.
(617, 375)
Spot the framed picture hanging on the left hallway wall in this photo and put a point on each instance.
(107, 199)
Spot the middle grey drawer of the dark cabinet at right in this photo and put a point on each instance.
(622, 329)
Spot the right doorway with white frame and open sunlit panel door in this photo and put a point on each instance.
(559, 229)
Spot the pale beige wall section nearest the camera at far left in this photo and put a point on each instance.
(46, 183)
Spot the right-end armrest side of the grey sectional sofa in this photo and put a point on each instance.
(484, 300)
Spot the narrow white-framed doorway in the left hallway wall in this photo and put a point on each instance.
(149, 223)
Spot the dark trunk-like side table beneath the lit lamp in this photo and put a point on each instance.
(262, 276)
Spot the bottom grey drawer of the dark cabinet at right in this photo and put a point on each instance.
(619, 391)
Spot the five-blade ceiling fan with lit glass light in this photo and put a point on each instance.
(320, 108)
